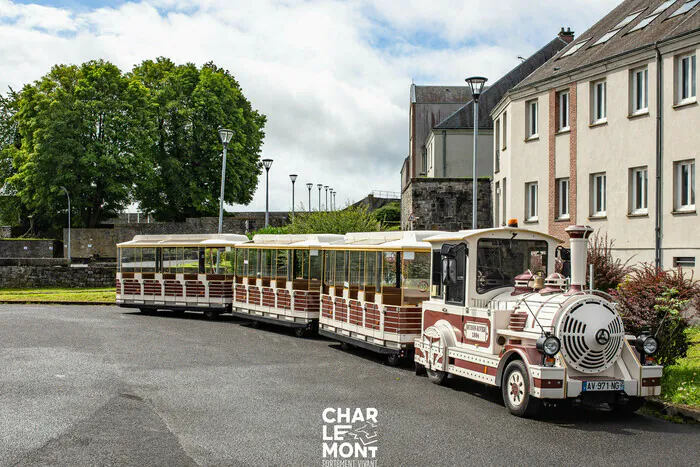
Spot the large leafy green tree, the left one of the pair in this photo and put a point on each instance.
(86, 128)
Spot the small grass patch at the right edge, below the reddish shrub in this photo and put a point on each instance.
(681, 381)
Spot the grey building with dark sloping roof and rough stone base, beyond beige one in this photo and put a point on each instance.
(441, 147)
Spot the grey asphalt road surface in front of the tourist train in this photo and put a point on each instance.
(102, 385)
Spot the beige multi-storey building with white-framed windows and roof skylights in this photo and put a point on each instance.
(605, 134)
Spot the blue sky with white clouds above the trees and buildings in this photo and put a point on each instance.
(333, 77)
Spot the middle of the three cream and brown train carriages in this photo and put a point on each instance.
(278, 279)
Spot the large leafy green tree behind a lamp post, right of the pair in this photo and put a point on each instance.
(188, 105)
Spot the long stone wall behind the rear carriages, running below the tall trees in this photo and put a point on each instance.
(86, 243)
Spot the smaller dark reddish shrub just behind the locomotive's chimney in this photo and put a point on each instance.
(608, 271)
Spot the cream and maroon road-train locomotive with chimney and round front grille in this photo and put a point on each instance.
(499, 314)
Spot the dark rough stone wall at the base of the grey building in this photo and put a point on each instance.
(445, 204)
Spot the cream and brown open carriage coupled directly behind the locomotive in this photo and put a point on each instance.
(372, 291)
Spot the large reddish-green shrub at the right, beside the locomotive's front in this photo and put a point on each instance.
(656, 299)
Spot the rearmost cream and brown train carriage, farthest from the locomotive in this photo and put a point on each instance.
(177, 272)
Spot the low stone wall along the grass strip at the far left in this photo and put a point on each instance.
(19, 277)
